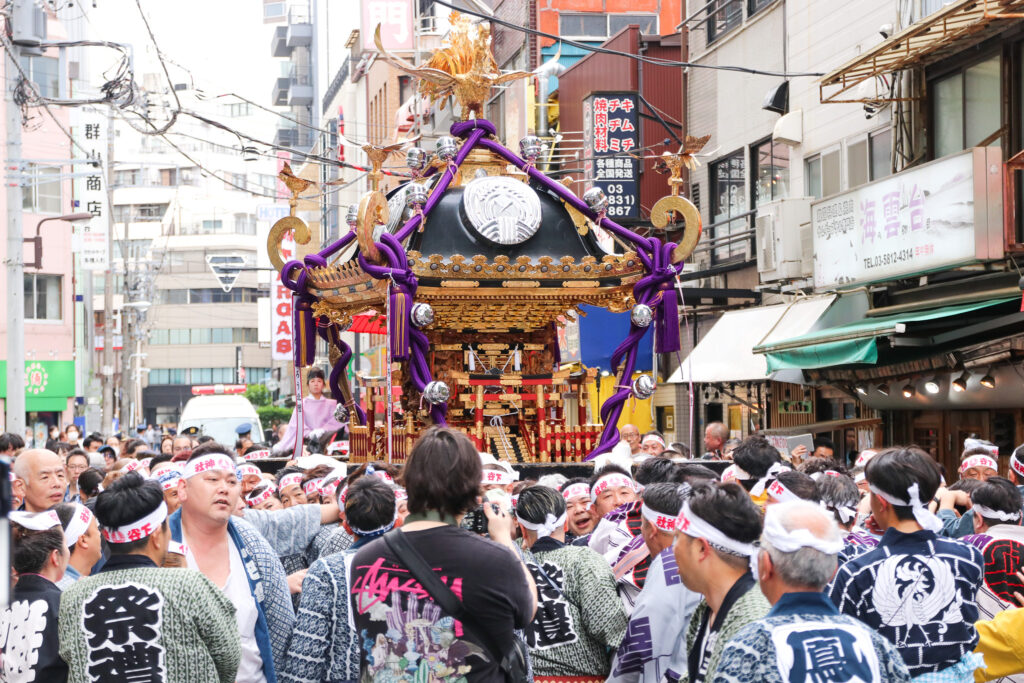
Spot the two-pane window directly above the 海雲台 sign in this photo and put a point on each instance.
(967, 108)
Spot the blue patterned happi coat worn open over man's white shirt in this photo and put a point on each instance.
(269, 585)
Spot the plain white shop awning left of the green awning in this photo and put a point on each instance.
(726, 354)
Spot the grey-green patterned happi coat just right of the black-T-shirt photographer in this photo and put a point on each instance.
(579, 617)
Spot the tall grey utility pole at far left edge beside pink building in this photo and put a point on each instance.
(15, 403)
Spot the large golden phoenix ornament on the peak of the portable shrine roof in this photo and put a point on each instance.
(464, 69)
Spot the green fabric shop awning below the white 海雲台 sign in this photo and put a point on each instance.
(856, 343)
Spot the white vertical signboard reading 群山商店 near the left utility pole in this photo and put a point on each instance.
(90, 132)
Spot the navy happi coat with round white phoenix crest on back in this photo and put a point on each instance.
(918, 590)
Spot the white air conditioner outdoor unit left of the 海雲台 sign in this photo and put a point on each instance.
(784, 246)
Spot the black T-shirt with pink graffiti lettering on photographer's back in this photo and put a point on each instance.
(406, 636)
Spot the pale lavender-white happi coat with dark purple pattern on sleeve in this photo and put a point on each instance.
(657, 629)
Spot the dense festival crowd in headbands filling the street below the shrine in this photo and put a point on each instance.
(192, 563)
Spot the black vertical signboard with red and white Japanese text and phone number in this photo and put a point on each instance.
(612, 133)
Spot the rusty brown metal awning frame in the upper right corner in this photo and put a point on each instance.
(947, 31)
